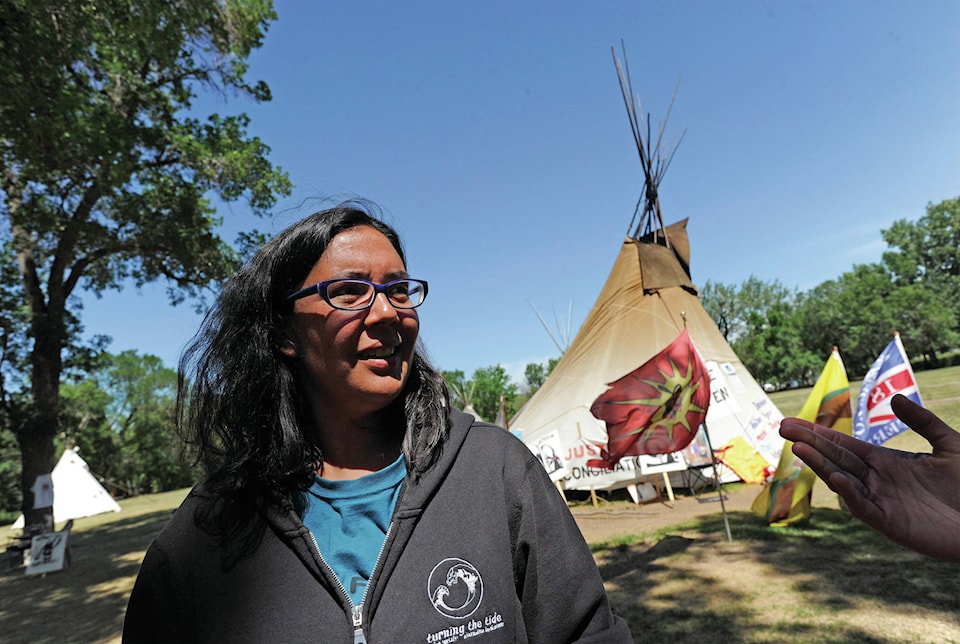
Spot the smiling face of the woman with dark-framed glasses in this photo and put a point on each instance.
(355, 362)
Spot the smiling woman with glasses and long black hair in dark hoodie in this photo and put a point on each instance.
(345, 500)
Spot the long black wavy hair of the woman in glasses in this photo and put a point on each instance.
(238, 402)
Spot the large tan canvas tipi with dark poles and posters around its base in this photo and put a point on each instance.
(648, 299)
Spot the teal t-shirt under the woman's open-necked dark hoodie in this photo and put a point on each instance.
(349, 520)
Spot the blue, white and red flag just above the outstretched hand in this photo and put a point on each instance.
(874, 420)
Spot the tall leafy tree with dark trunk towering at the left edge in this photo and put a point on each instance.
(105, 172)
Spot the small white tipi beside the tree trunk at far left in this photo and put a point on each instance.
(76, 493)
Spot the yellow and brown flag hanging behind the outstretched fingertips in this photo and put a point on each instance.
(786, 499)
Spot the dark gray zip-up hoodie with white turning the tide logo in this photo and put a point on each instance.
(481, 548)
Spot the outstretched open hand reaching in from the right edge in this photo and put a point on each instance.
(913, 499)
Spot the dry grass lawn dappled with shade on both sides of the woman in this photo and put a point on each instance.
(833, 580)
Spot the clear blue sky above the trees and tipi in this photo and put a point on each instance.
(494, 137)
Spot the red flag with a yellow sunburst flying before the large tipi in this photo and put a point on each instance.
(658, 407)
